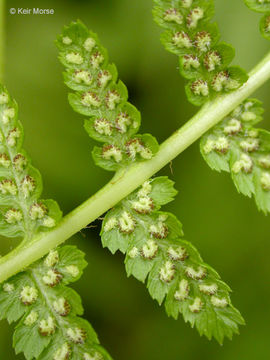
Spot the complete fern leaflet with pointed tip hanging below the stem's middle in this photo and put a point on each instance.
(154, 247)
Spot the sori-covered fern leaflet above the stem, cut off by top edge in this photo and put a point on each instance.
(203, 60)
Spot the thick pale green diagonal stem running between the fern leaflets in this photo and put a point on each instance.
(128, 180)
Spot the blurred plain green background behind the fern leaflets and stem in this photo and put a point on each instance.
(226, 227)
